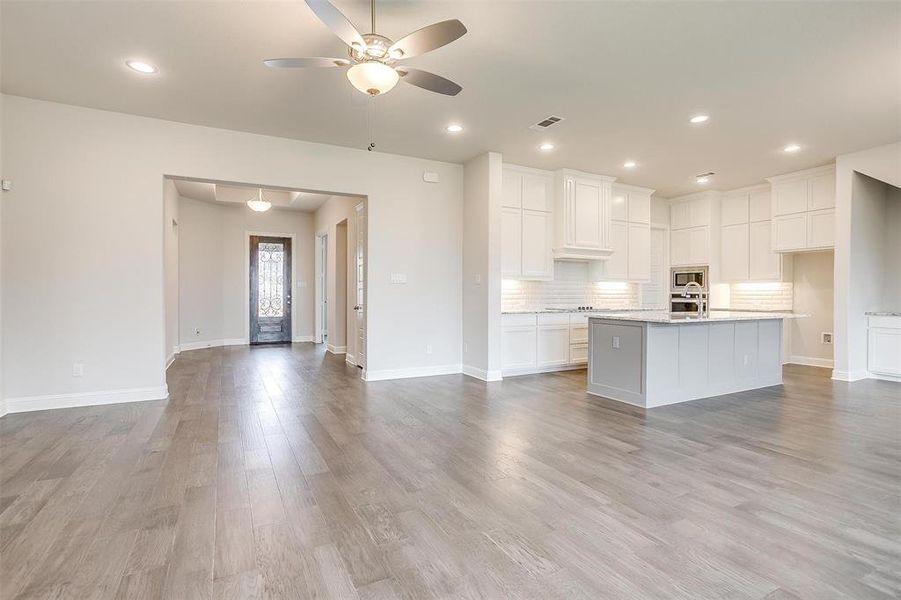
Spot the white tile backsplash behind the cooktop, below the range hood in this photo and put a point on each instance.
(569, 289)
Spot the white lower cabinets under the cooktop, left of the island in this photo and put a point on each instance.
(544, 342)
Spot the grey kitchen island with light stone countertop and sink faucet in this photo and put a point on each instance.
(656, 358)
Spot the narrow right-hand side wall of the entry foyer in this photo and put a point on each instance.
(340, 318)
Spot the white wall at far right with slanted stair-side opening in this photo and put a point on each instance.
(855, 226)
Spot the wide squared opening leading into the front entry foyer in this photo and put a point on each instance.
(247, 264)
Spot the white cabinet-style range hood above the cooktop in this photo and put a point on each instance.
(582, 216)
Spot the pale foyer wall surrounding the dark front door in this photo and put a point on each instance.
(214, 269)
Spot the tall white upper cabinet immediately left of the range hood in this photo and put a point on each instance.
(526, 224)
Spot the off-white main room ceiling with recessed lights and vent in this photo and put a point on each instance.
(625, 75)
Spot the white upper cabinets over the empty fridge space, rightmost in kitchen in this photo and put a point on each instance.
(803, 206)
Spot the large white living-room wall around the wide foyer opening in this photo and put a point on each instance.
(93, 290)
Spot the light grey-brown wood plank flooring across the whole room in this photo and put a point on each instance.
(276, 473)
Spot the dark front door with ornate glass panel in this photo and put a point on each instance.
(270, 289)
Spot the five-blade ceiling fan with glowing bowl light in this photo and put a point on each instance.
(373, 58)
